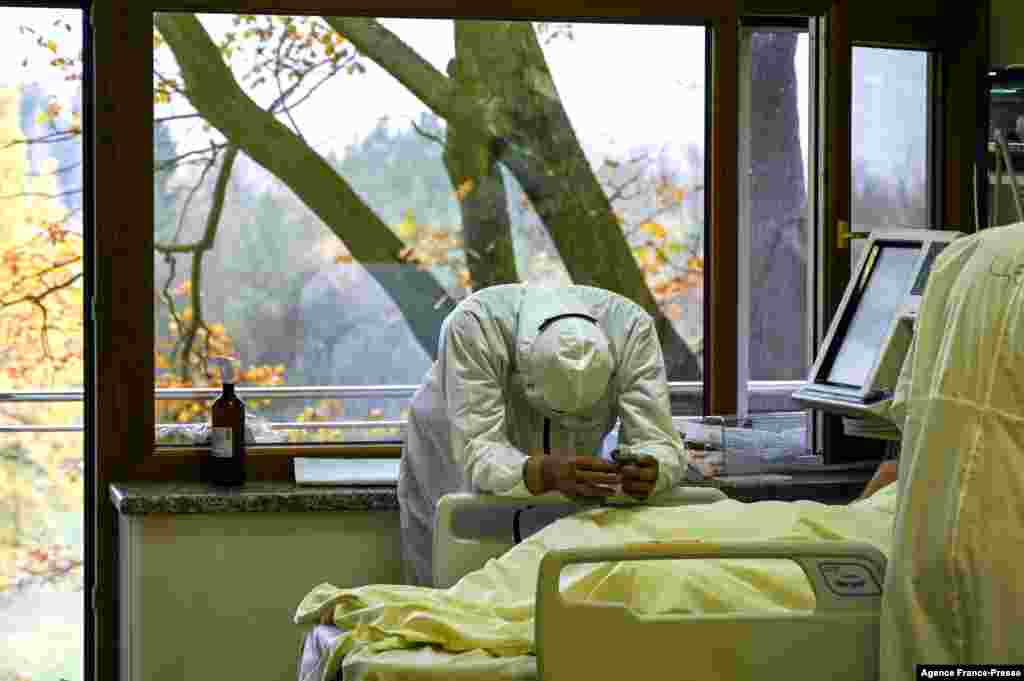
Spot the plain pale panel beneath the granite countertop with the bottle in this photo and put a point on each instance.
(212, 597)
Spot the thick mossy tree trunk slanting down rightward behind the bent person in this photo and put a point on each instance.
(540, 148)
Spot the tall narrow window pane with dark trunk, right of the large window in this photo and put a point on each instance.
(774, 215)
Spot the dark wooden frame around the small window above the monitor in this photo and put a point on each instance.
(959, 38)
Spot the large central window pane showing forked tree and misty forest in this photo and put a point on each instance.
(328, 189)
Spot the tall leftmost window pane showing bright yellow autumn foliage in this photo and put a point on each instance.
(41, 345)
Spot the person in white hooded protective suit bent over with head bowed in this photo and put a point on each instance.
(528, 382)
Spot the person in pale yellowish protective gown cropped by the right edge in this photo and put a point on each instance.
(955, 584)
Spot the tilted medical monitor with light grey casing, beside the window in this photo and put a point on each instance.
(860, 362)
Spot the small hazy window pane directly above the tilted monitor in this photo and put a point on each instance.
(890, 121)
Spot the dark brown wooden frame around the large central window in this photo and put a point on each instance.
(125, 362)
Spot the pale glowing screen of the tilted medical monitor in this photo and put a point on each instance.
(888, 282)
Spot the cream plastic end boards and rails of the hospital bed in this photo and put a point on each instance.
(586, 641)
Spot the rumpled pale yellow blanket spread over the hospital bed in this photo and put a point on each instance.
(491, 612)
